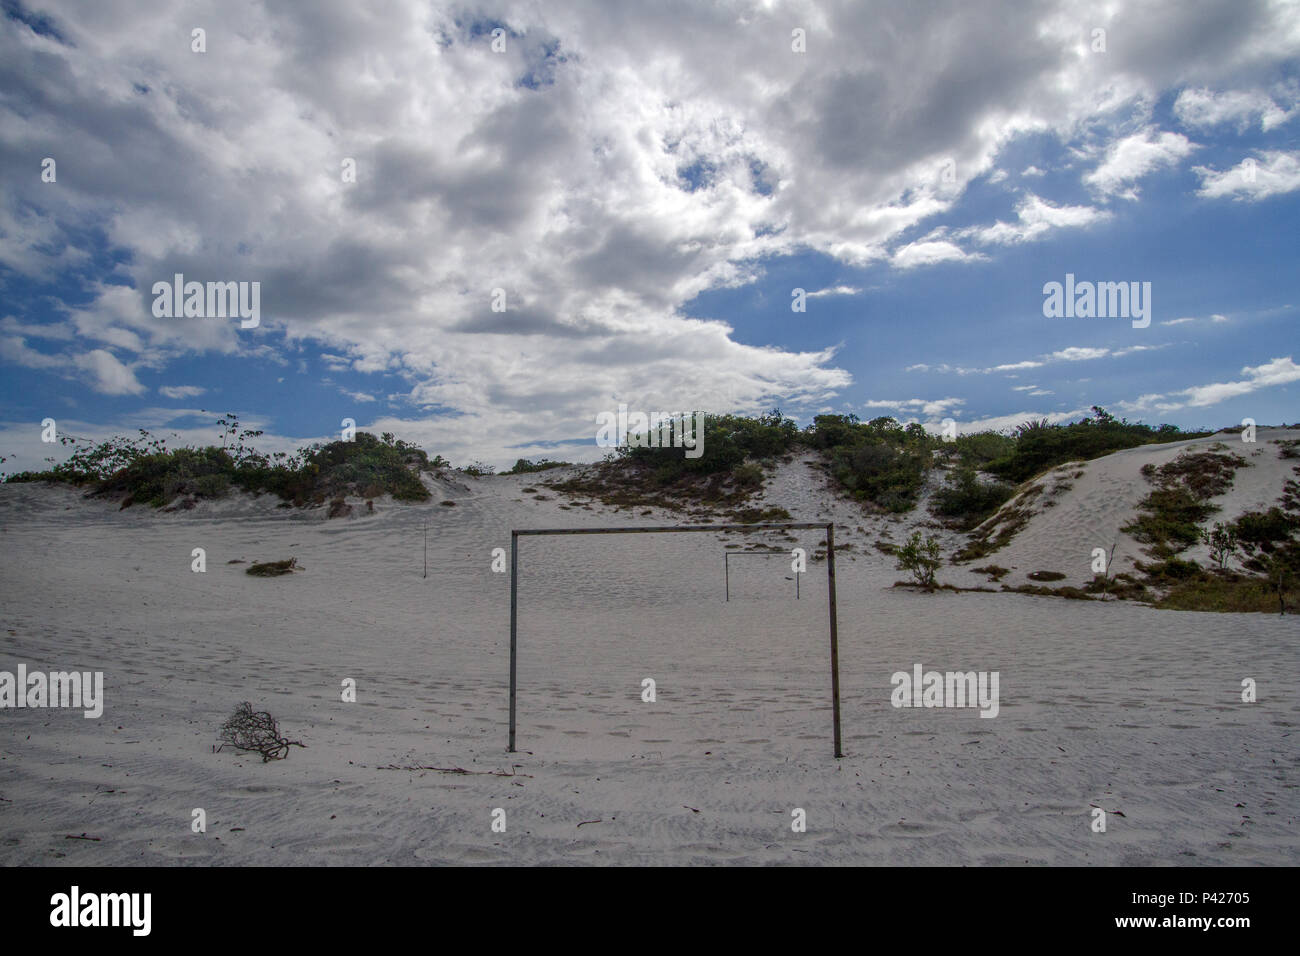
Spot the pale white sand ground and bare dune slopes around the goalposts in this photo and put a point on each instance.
(1113, 706)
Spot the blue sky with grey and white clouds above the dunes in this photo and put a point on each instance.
(643, 187)
